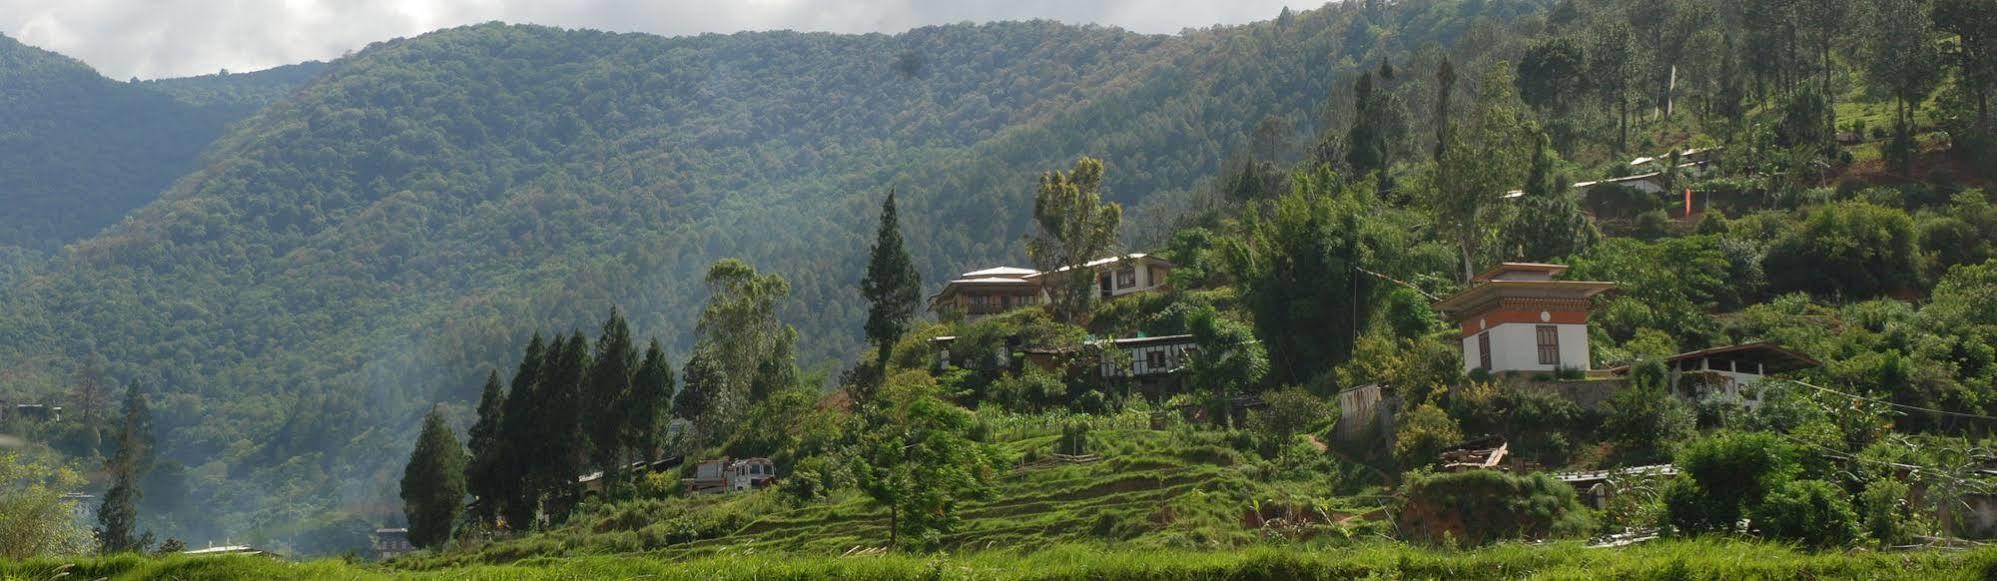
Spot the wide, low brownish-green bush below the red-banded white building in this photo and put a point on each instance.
(1487, 506)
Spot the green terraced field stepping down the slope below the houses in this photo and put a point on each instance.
(1153, 488)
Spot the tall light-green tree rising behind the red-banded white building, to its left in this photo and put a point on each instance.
(1487, 161)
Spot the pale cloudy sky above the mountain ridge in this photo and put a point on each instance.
(157, 39)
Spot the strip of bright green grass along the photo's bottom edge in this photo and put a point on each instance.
(1666, 560)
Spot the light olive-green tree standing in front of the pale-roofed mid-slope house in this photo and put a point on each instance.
(1075, 229)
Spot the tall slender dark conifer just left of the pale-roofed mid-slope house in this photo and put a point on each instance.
(892, 289)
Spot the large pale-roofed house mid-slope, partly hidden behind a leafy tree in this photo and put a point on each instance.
(996, 290)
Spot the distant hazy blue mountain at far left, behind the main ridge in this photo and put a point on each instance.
(81, 151)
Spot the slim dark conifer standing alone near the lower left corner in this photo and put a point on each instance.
(119, 514)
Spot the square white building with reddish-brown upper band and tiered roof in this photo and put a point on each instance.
(1519, 318)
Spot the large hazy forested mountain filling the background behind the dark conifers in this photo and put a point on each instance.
(390, 233)
